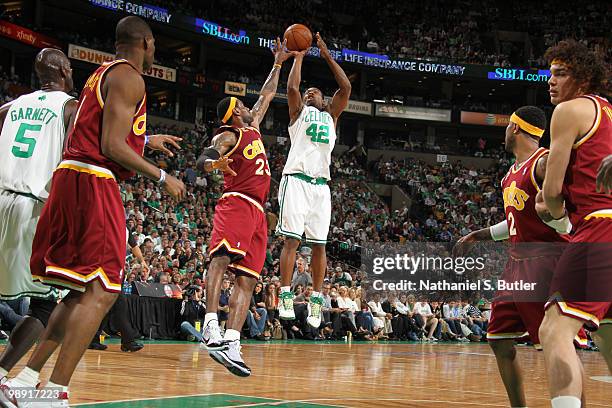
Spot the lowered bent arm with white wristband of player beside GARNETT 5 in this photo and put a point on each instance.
(123, 90)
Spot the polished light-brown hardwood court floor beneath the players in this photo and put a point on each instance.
(298, 374)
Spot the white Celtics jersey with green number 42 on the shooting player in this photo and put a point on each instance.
(313, 136)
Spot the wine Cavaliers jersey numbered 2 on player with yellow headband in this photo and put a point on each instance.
(520, 188)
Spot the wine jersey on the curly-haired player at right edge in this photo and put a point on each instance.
(579, 187)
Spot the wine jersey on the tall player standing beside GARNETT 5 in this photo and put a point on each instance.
(85, 138)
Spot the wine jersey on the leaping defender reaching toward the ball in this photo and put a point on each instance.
(250, 163)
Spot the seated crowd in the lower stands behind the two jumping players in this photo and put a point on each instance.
(173, 238)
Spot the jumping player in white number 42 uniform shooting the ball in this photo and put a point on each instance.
(304, 196)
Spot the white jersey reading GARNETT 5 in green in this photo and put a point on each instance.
(32, 141)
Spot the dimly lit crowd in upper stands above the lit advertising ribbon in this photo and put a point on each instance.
(463, 31)
